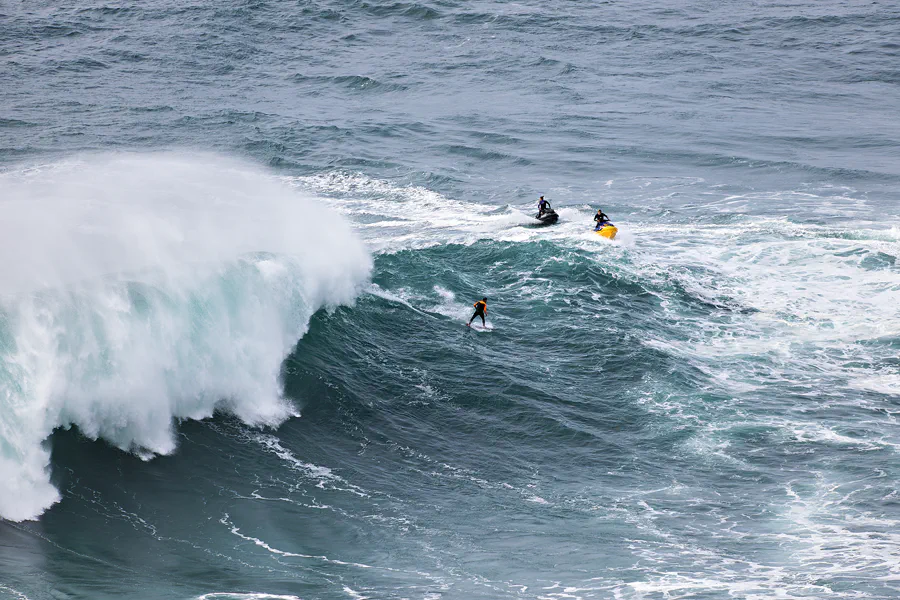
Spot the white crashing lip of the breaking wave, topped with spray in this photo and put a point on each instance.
(149, 289)
